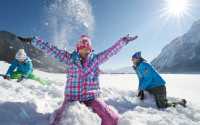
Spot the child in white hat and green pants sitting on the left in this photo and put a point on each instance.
(21, 68)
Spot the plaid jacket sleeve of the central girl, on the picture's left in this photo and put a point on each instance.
(51, 50)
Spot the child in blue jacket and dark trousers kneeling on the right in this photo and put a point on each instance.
(152, 82)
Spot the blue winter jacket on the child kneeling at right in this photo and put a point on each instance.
(148, 76)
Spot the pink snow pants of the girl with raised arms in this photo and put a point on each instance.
(107, 116)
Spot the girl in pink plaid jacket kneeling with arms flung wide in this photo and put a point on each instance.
(83, 74)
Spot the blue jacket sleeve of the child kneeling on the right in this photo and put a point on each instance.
(146, 75)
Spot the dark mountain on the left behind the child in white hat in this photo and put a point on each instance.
(9, 45)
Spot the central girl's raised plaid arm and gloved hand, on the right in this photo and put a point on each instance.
(113, 50)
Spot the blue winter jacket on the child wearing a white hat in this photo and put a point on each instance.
(25, 68)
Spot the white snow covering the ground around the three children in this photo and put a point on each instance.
(29, 103)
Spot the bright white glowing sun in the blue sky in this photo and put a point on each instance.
(177, 8)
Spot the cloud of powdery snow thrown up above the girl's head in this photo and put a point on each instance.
(66, 18)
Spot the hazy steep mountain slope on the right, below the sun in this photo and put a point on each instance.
(182, 55)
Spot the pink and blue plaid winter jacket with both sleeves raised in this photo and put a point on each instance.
(82, 80)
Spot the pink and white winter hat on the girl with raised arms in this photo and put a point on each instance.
(84, 42)
